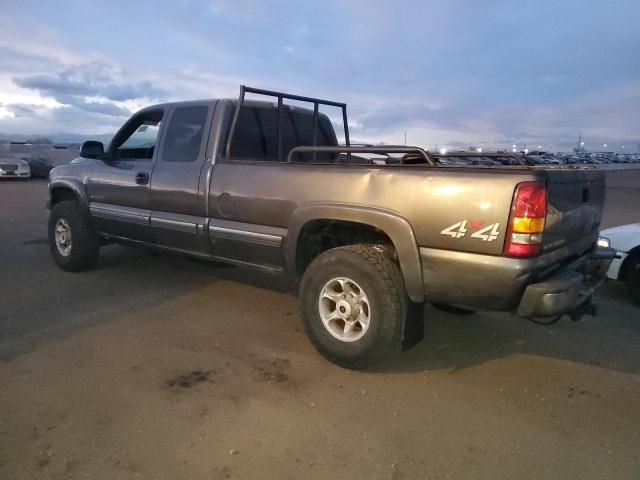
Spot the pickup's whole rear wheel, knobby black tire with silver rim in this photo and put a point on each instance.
(353, 304)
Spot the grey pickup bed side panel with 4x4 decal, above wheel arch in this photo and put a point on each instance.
(431, 200)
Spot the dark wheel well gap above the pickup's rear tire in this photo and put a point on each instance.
(318, 236)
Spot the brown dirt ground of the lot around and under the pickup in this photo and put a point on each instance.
(160, 367)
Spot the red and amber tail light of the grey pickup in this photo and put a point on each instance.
(526, 221)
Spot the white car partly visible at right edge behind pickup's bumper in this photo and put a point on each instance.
(626, 266)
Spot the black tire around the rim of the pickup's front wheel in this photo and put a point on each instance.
(85, 244)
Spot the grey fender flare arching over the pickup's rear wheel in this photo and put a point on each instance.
(394, 226)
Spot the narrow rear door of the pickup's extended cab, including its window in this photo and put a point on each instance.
(179, 180)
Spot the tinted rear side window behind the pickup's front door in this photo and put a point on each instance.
(184, 134)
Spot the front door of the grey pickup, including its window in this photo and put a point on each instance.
(119, 185)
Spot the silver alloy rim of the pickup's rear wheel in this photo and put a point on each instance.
(344, 309)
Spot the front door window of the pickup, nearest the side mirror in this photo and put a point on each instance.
(138, 139)
